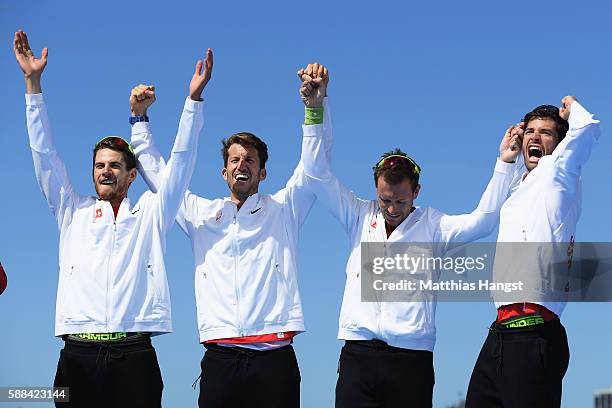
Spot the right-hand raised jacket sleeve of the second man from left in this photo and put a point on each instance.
(297, 196)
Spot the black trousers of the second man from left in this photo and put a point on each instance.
(239, 377)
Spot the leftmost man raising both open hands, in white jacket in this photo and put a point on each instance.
(112, 292)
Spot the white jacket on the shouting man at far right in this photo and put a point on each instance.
(543, 210)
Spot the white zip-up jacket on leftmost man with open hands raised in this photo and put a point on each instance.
(112, 276)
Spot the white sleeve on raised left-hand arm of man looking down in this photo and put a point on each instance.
(334, 195)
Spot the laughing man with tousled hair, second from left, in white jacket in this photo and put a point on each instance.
(245, 250)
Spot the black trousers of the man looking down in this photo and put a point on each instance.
(373, 374)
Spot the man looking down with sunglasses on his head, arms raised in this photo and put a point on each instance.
(387, 359)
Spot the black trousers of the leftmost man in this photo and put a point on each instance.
(110, 374)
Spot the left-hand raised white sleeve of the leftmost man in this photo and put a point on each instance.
(50, 170)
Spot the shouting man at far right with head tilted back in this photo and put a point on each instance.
(525, 355)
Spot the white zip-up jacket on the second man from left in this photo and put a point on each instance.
(245, 261)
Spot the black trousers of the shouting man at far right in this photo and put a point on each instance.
(520, 368)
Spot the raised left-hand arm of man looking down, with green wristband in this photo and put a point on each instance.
(342, 203)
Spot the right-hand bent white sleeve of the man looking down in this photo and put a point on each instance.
(482, 221)
